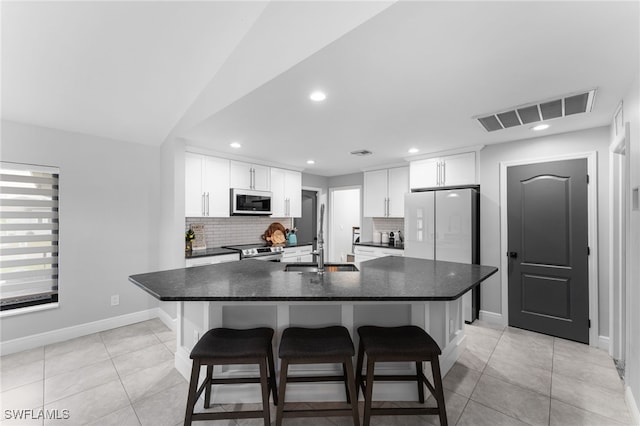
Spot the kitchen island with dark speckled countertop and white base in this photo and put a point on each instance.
(388, 291)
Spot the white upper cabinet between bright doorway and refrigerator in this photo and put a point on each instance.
(384, 192)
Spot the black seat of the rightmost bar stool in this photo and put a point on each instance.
(407, 341)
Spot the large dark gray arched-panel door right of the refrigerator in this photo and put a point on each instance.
(548, 248)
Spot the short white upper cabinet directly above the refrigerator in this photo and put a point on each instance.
(451, 170)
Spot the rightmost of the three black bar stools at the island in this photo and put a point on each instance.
(398, 344)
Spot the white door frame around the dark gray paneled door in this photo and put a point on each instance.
(592, 202)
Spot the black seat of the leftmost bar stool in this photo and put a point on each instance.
(222, 343)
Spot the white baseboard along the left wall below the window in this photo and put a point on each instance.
(60, 335)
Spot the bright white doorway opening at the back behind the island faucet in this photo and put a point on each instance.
(344, 215)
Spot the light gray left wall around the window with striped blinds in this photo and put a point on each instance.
(109, 209)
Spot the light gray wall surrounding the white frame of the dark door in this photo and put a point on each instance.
(490, 157)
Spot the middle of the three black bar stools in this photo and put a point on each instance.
(327, 345)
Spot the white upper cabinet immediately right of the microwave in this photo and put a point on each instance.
(286, 186)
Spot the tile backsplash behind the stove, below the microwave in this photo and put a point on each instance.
(222, 231)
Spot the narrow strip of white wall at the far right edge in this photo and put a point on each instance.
(632, 374)
